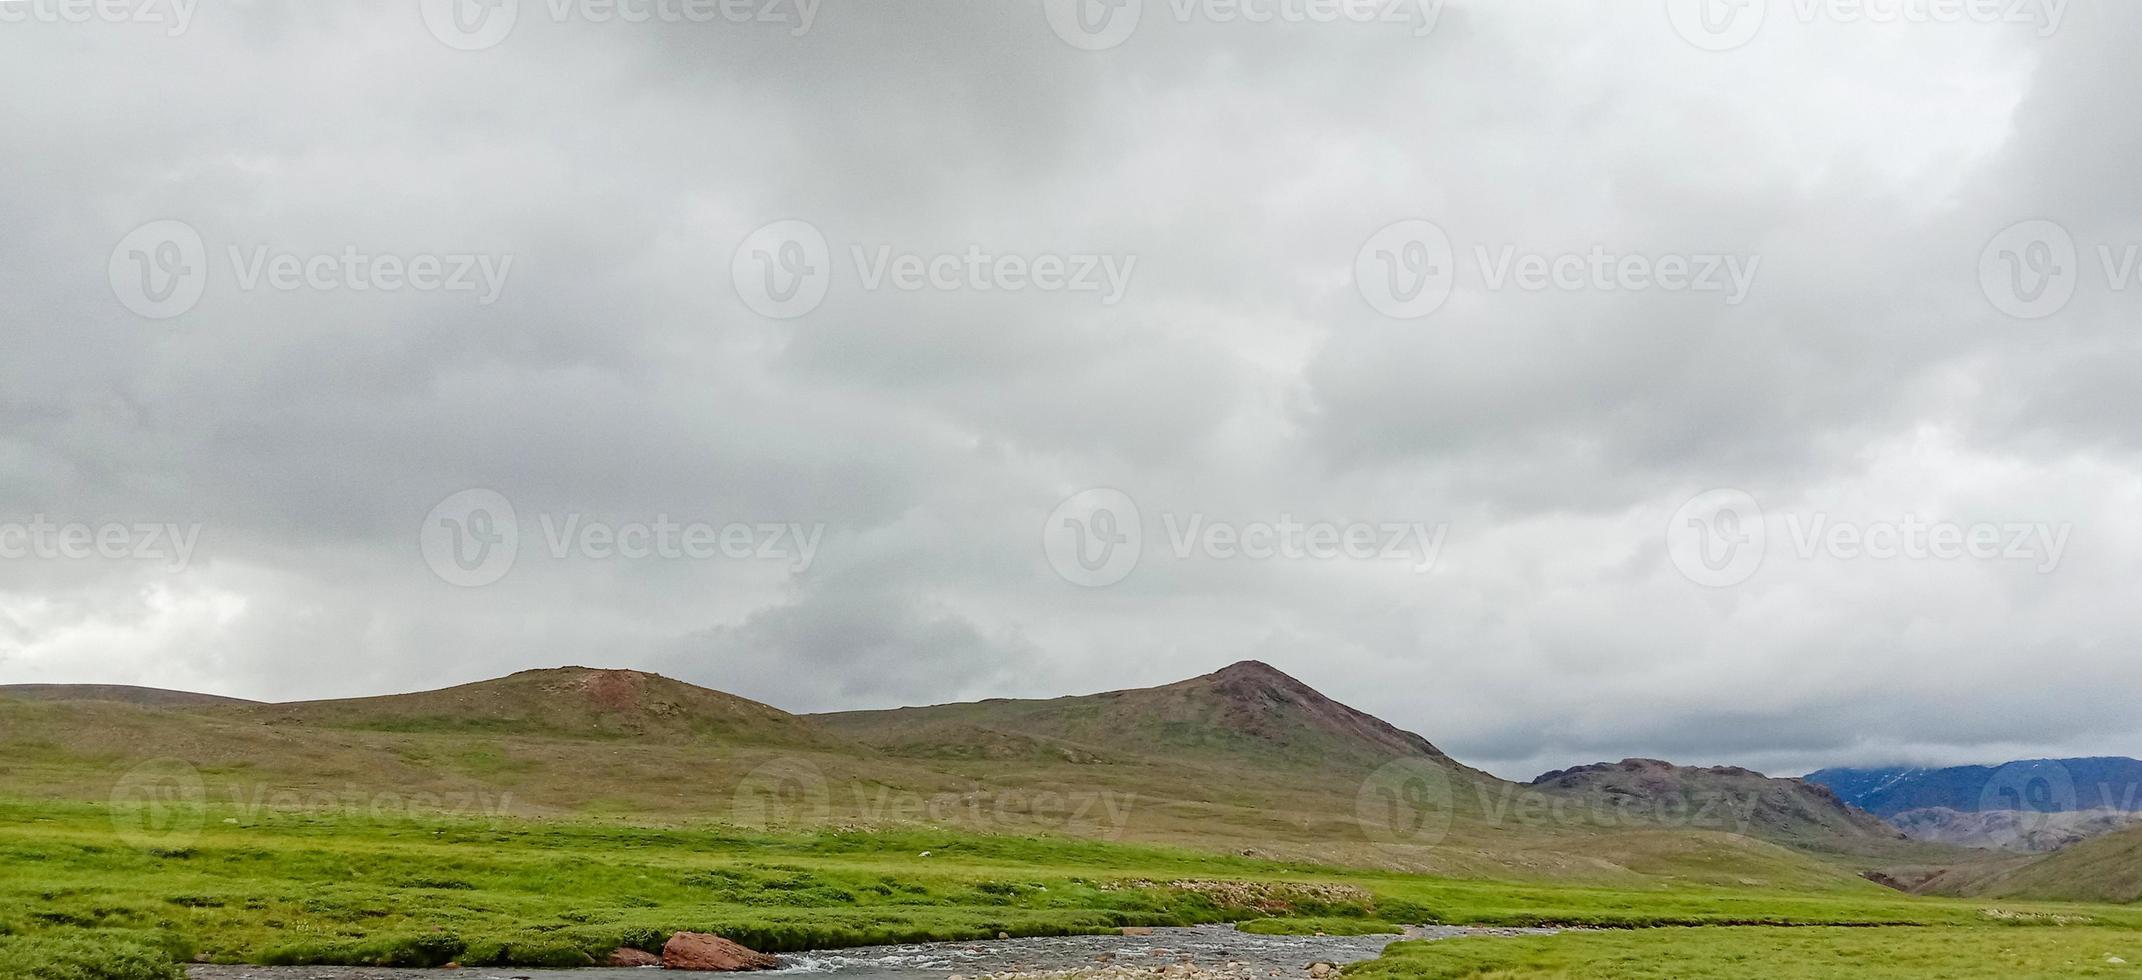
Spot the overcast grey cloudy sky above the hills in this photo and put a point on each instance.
(1695, 380)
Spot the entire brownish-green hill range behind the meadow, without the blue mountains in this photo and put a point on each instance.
(1241, 761)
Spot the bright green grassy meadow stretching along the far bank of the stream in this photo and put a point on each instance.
(310, 887)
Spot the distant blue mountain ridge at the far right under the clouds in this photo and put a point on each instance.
(2032, 784)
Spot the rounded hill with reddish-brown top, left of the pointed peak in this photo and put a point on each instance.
(582, 703)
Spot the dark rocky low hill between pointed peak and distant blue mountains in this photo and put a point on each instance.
(1777, 810)
